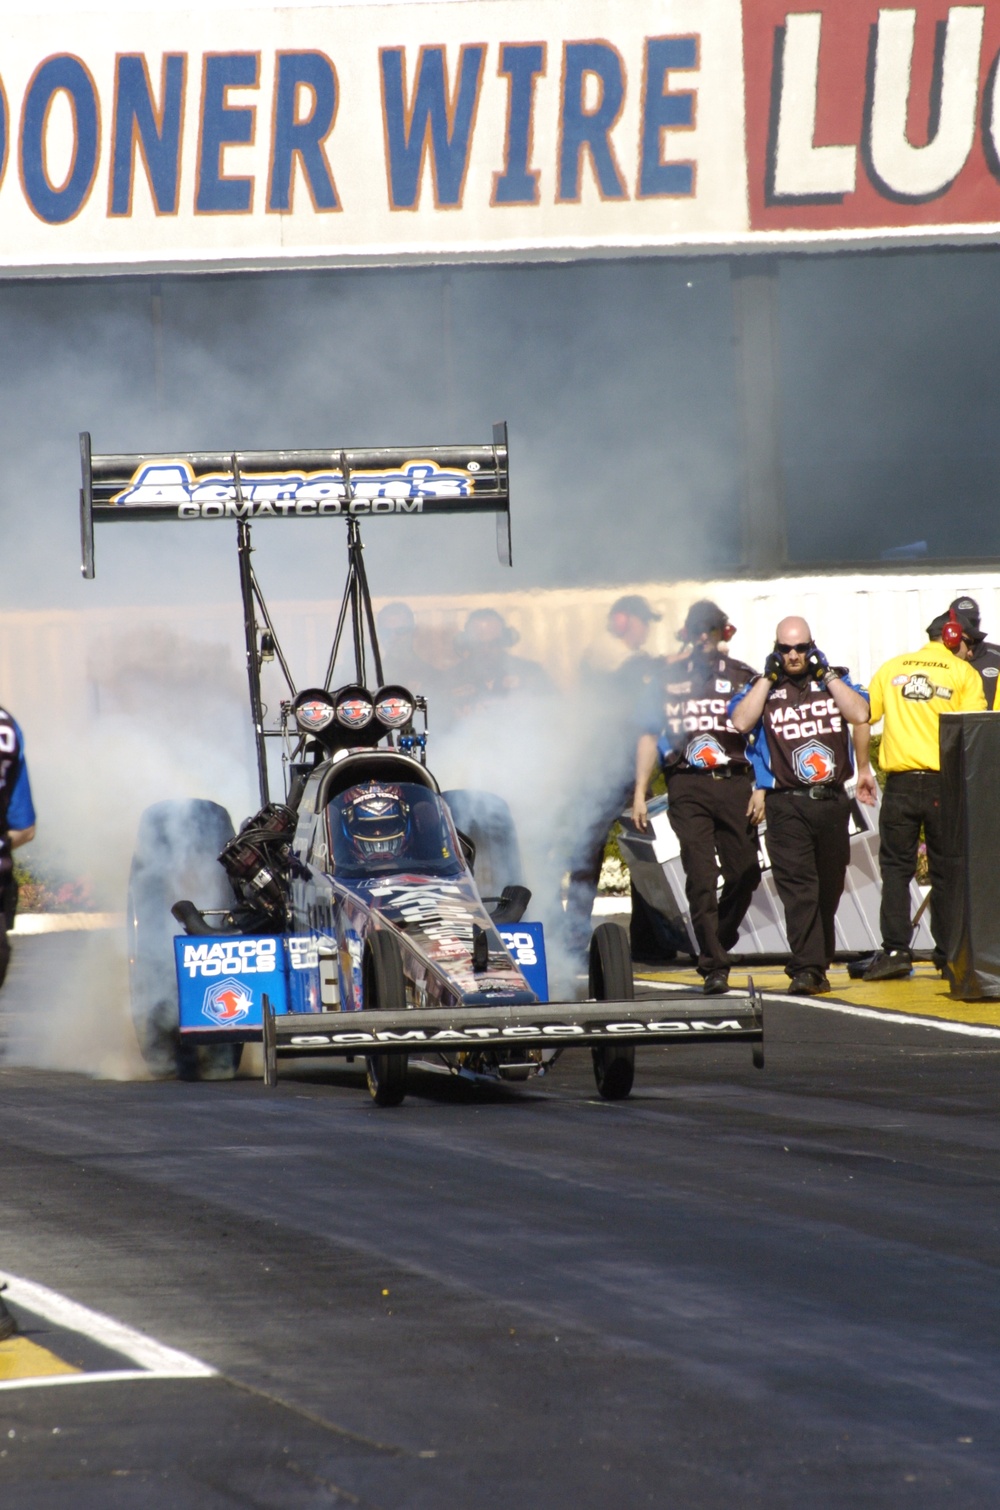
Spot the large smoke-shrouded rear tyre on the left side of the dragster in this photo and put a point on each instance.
(176, 858)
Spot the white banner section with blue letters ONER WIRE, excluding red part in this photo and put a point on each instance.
(369, 134)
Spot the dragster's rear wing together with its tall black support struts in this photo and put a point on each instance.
(250, 485)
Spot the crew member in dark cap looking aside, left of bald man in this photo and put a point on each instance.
(714, 809)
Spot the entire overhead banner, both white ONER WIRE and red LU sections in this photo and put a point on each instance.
(493, 129)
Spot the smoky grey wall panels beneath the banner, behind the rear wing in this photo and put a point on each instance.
(617, 380)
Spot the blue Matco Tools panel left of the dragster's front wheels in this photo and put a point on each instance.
(223, 981)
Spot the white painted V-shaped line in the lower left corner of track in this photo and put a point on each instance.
(155, 1360)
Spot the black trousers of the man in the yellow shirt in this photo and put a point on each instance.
(912, 798)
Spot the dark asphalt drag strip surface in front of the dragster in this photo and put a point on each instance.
(738, 1289)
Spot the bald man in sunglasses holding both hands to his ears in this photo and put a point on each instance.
(797, 721)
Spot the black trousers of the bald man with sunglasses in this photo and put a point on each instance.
(809, 845)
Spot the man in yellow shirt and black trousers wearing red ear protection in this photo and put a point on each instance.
(910, 694)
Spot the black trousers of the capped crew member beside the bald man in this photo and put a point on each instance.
(709, 818)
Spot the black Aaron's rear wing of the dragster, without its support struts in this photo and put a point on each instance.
(190, 487)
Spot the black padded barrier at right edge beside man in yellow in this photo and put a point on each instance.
(971, 813)
